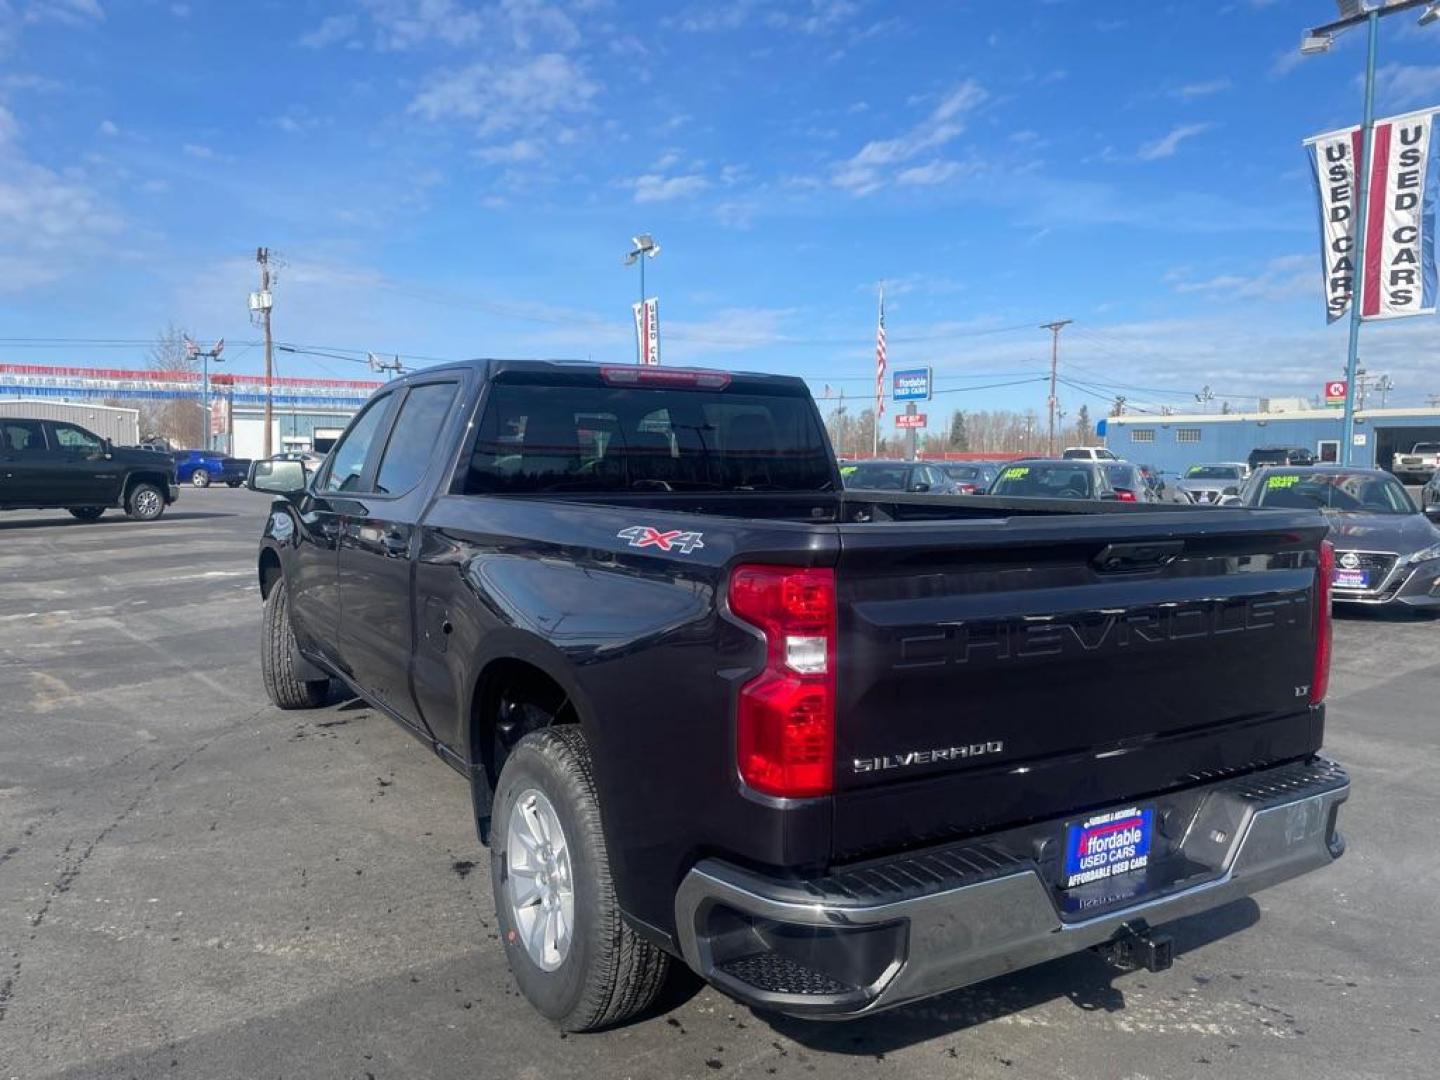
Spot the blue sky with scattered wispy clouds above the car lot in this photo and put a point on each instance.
(449, 179)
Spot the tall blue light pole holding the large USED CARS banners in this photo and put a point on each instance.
(1318, 41)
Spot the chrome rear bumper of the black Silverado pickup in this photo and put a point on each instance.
(896, 931)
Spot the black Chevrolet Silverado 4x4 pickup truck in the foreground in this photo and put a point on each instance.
(836, 751)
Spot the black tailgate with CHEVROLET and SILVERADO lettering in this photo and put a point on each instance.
(994, 672)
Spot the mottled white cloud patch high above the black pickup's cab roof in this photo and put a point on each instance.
(522, 97)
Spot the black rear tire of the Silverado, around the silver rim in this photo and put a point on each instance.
(608, 973)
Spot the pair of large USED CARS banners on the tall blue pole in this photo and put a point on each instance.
(1399, 277)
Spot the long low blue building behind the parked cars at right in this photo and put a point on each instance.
(1173, 444)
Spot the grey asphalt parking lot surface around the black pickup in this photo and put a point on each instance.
(197, 885)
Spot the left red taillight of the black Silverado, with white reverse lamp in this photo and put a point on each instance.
(786, 724)
